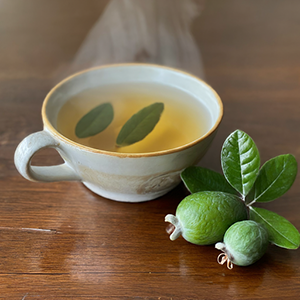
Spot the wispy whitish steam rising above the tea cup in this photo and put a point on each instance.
(150, 31)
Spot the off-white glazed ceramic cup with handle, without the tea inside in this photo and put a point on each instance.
(125, 177)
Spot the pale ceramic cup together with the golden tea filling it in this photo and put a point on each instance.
(187, 115)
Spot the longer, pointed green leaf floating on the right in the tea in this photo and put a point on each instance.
(140, 125)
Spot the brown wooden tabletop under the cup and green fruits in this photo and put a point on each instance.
(61, 241)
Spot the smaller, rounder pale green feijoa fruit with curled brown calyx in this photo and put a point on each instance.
(244, 243)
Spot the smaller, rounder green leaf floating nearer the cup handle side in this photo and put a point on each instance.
(95, 121)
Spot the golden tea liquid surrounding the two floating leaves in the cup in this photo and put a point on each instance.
(183, 120)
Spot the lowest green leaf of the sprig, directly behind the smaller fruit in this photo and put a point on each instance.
(281, 232)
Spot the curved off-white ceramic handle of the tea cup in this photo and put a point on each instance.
(26, 150)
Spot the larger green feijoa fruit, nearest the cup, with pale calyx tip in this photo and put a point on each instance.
(203, 218)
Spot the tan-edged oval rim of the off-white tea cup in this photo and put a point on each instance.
(55, 132)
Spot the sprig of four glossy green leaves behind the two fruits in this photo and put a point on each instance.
(240, 161)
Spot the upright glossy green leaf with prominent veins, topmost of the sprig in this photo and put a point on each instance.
(240, 161)
